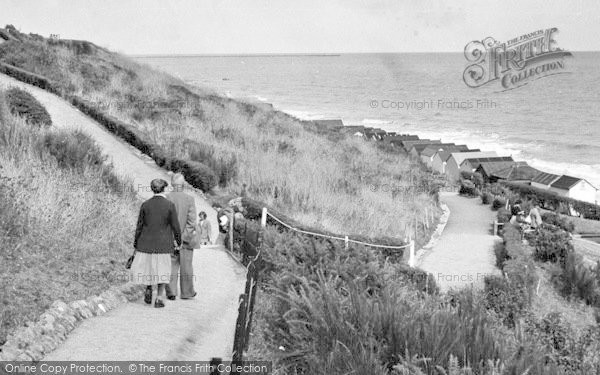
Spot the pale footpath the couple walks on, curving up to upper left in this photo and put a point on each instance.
(197, 329)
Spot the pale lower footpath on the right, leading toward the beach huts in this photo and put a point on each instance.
(464, 253)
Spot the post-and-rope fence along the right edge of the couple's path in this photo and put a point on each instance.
(251, 247)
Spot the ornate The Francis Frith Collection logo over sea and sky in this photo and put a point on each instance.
(515, 62)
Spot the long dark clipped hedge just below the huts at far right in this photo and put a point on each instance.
(549, 198)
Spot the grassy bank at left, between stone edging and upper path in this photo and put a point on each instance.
(64, 233)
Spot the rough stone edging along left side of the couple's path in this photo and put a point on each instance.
(34, 340)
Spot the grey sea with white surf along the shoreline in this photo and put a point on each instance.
(553, 122)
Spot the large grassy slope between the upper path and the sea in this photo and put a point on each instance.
(322, 181)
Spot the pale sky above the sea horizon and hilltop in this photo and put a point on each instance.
(139, 27)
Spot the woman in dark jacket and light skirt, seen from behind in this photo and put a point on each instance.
(157, 230)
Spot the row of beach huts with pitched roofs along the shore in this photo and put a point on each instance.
(451, 159)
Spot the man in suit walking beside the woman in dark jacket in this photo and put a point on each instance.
(181, 262)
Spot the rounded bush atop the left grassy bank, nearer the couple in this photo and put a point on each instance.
(72, 150)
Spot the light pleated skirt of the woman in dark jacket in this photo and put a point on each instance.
(151, 269)
